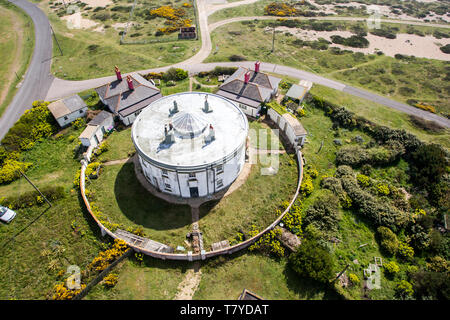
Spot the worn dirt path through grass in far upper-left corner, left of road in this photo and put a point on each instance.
(15, 64)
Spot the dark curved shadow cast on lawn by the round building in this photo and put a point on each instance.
(144, 209)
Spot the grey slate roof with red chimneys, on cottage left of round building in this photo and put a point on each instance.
(121, 100)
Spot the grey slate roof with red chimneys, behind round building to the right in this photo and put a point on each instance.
(258, 89)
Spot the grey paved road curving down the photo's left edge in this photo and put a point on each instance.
(37, 78)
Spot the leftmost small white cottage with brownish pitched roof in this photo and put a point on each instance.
(67, 110)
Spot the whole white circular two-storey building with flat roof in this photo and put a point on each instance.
(191, 144)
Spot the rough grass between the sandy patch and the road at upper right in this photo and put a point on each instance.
(380, 74)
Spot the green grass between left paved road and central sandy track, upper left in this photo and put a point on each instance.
(88, 54)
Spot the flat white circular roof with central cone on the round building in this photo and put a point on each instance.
(175, 131)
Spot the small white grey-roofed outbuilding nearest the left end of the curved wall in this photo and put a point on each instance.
(96, 129)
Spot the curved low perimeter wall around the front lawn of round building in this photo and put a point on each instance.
(189, 256)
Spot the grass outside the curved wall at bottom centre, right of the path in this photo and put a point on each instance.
(225, 278)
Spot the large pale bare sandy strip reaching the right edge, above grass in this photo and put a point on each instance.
(408, 44)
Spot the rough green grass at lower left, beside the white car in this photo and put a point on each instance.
(26, 273)
